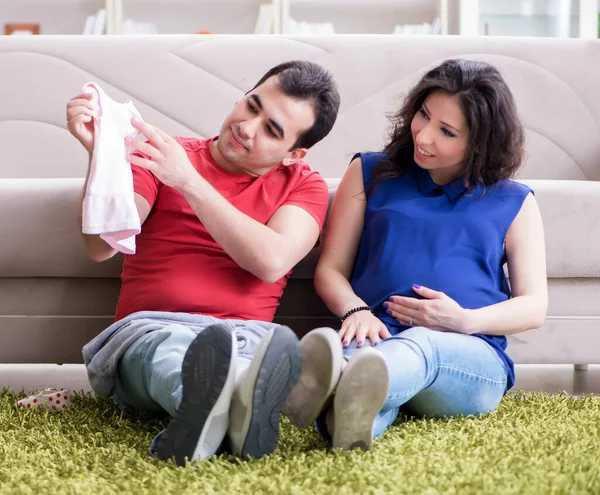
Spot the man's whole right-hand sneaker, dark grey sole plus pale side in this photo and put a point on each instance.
(256, 403)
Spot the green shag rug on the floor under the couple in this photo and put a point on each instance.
(533, 443)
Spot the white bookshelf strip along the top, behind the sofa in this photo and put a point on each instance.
(556, 18)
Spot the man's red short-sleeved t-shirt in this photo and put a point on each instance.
(178, 266)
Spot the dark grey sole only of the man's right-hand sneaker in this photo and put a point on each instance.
(276, 373)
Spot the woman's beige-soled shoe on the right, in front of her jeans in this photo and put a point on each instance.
(359, 397)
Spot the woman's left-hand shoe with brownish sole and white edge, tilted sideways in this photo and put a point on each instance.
(322, 357)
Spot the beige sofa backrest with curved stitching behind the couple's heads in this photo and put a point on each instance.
(187, 84)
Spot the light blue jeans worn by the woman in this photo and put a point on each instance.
(438, 374)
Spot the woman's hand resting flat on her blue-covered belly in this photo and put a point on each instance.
(436, 312)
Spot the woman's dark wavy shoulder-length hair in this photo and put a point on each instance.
(496, 138)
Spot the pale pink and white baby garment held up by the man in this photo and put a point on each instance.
(109, 205)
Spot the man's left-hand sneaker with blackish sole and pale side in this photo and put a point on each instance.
(208, 377)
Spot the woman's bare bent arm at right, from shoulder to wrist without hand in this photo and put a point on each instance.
(526, 259)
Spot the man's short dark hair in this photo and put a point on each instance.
(307, 81)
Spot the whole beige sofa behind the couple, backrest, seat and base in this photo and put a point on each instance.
(53, 300)
